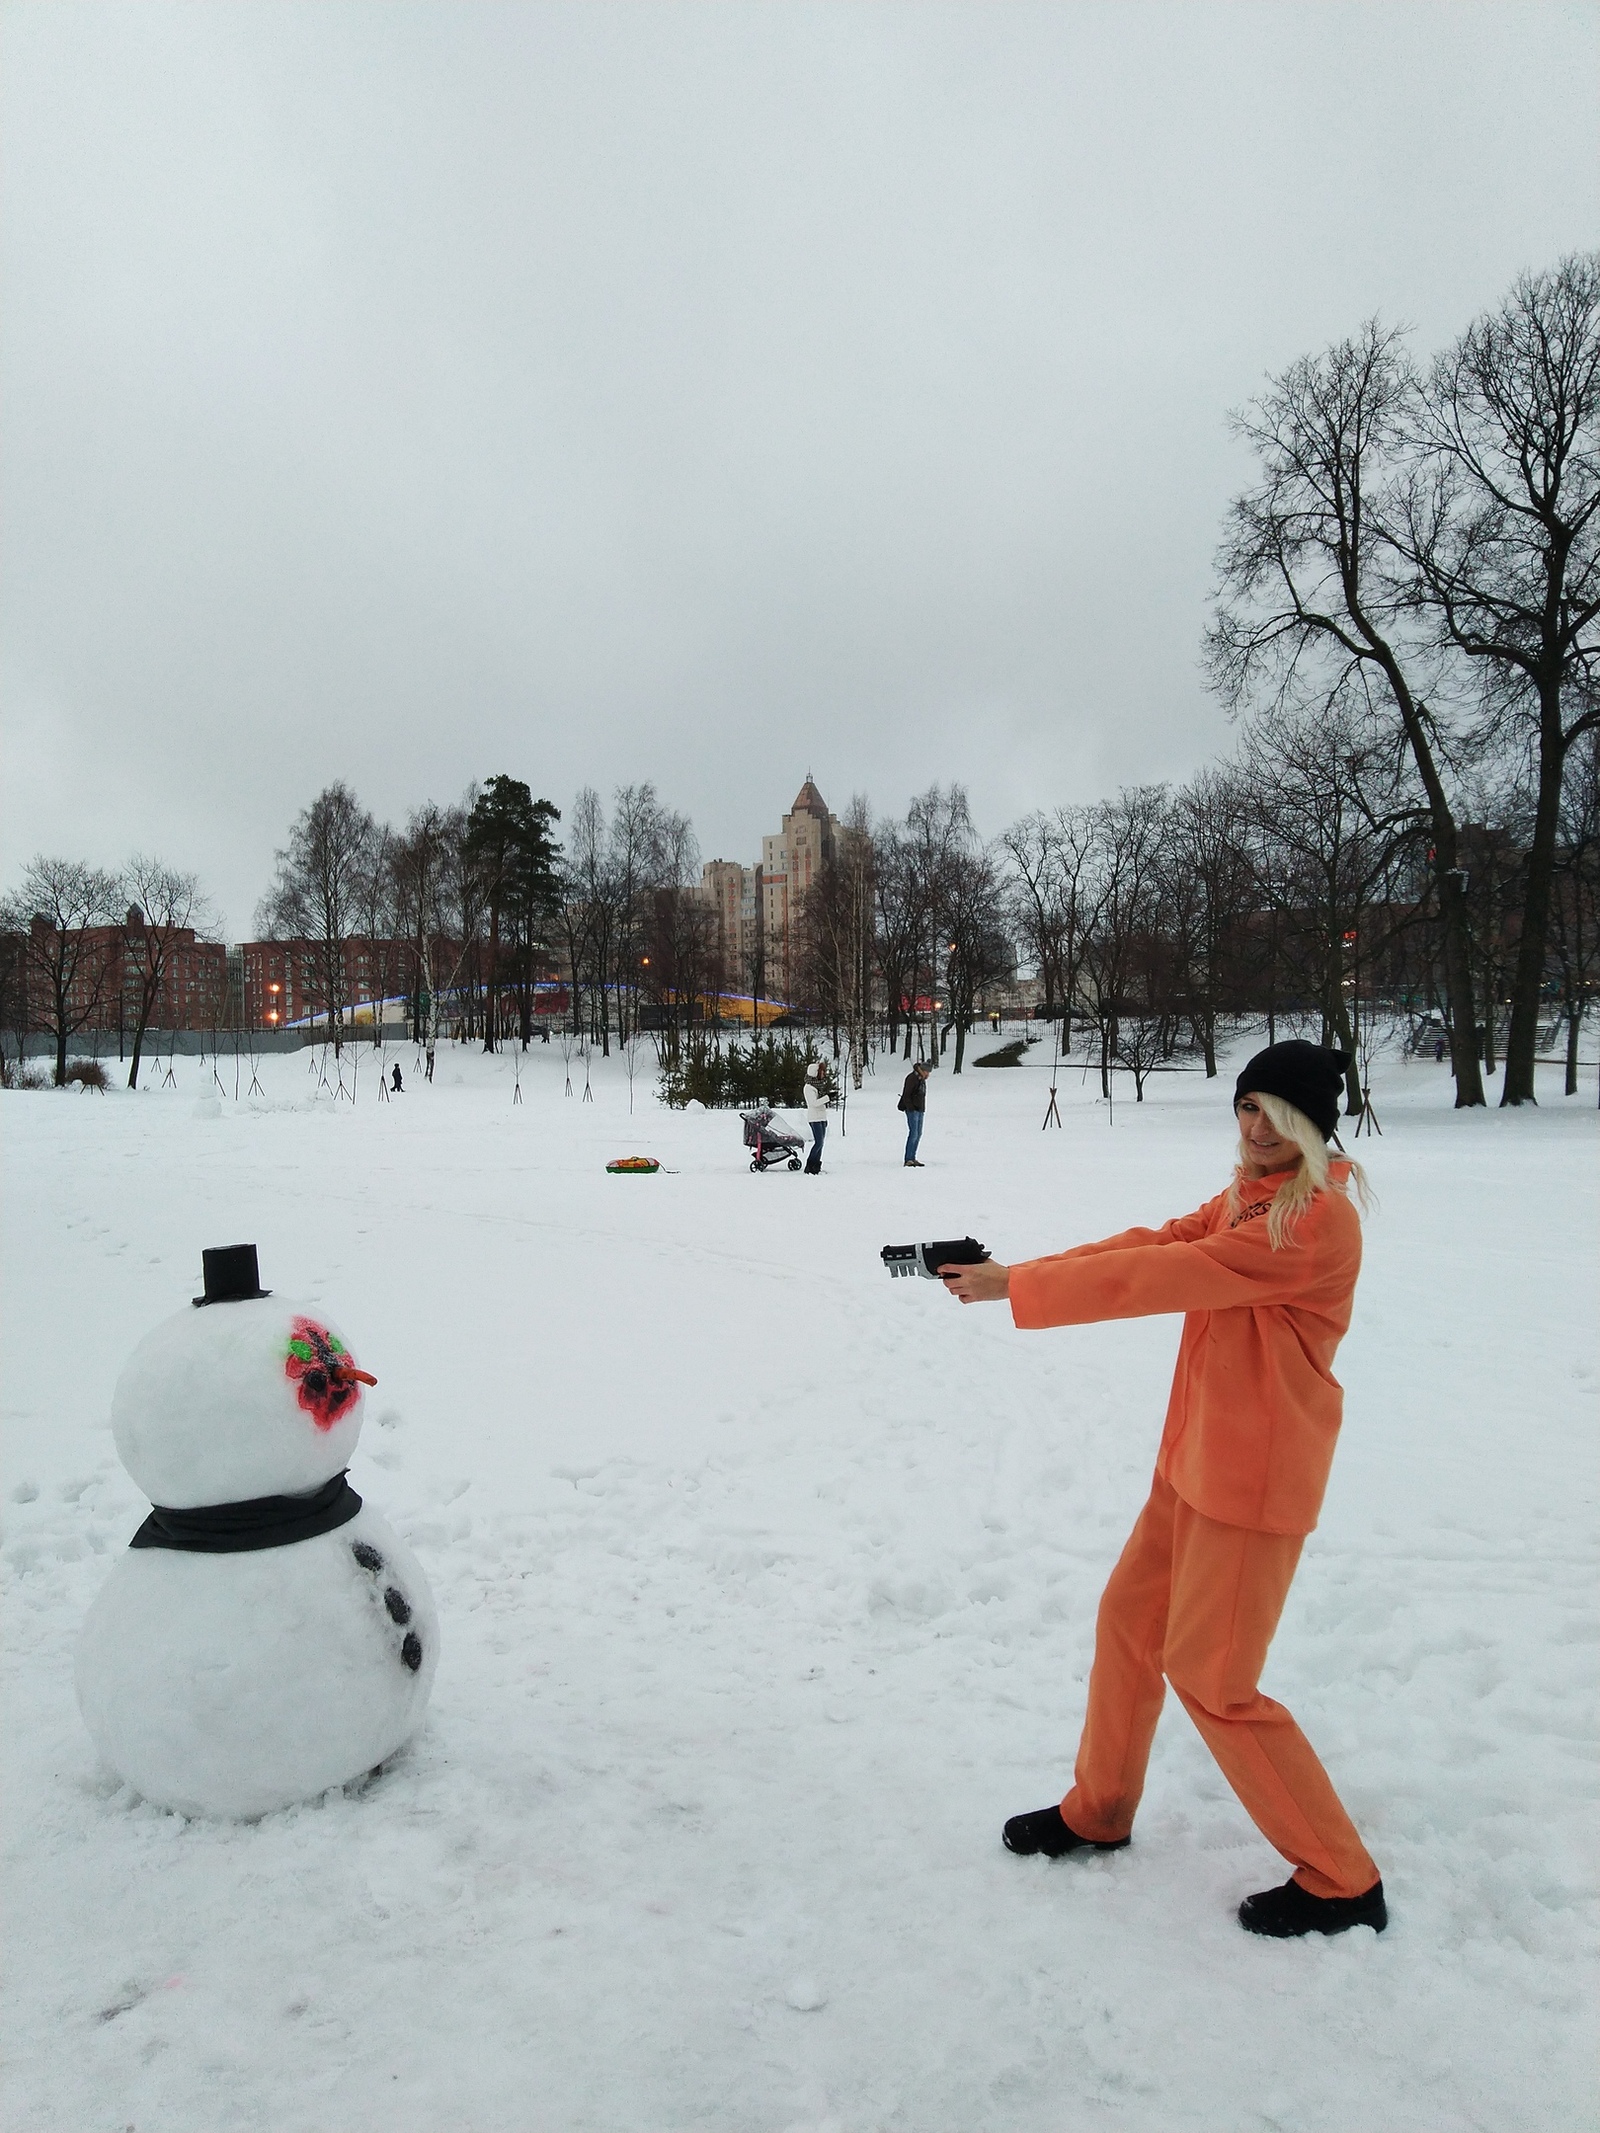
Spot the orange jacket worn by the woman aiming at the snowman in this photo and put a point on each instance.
(1255, 1407)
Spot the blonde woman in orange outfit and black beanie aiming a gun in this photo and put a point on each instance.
(1264, 1277)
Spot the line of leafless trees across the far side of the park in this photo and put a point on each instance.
(1409, 824)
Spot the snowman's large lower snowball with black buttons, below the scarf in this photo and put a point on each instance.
(238, 1684)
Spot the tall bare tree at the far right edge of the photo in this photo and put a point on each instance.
(1505, 536)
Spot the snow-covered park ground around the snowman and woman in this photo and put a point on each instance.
(767, 1592)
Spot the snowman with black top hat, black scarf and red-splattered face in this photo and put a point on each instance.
(266, 1635)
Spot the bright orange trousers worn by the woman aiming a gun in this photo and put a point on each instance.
(1198, 1603)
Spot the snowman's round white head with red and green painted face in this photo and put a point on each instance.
(238, 1400)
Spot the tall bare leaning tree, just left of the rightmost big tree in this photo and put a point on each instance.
(1317, 598)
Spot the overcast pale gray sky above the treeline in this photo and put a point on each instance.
(701, 394)
